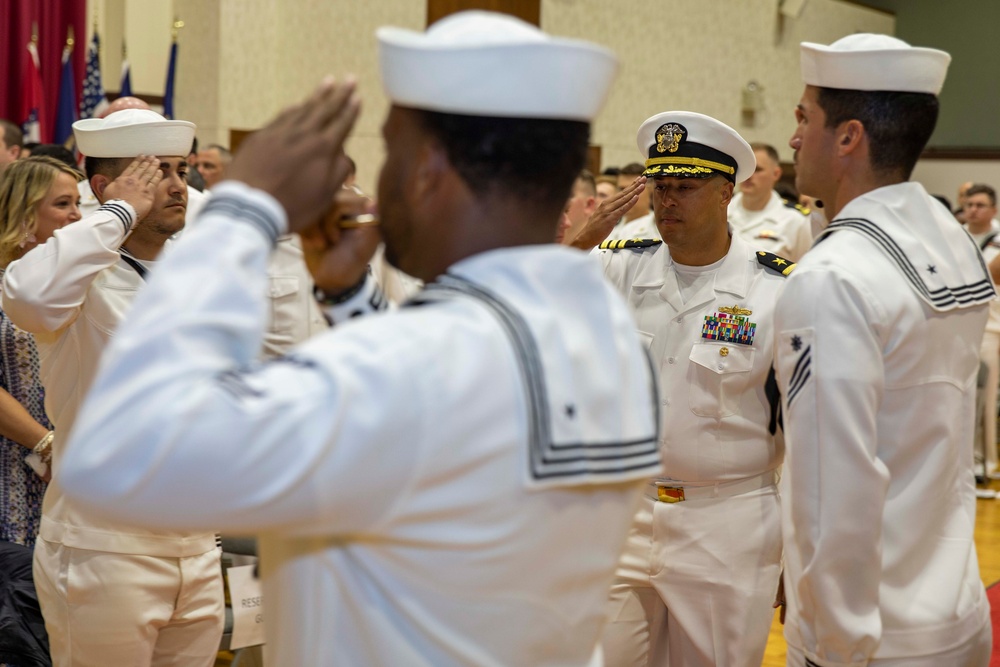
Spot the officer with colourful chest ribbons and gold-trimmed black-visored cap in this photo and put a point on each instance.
(698, 578)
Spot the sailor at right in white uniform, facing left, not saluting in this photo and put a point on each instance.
(877, 352)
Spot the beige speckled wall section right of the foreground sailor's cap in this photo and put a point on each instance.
(697, 55)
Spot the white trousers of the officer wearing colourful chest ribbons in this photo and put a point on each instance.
(696, 583)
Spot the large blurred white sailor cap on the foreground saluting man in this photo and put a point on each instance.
(480, 63)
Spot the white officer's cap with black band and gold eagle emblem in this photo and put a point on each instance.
(692, 145)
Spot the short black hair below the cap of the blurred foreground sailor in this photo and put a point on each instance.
(535, 160)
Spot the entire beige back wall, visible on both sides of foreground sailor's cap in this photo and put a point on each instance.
(242, 61)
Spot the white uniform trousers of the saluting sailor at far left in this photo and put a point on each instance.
(104, 609)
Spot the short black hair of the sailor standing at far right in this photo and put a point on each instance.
(899, 124)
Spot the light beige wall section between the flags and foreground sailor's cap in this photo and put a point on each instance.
(272, 53)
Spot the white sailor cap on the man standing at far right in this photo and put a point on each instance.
(874, 62)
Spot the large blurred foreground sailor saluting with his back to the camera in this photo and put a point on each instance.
(448, 483)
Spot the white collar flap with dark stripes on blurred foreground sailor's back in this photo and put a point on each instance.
(582, 430)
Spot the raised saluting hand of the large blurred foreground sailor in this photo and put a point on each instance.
(299, 158)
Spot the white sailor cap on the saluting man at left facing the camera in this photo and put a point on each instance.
(133, 132)
